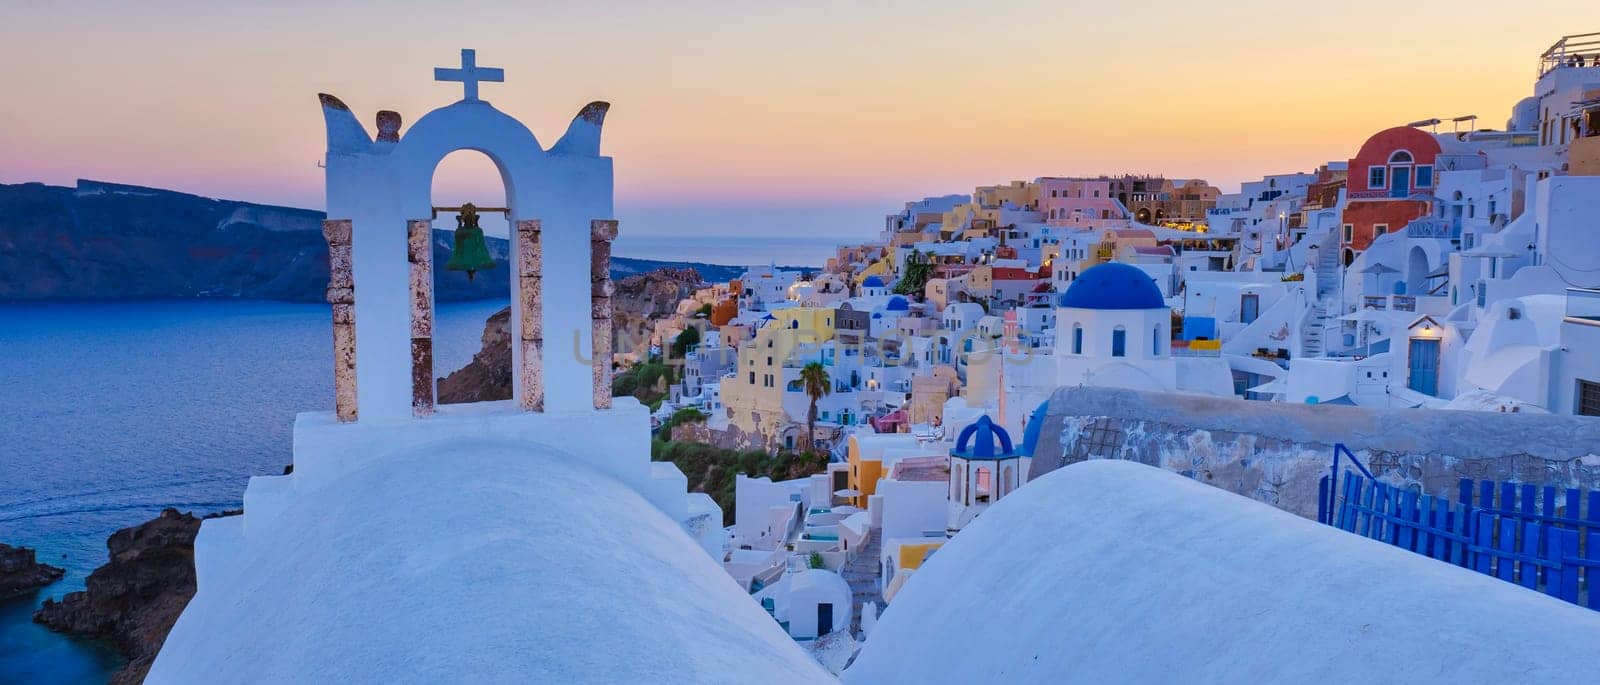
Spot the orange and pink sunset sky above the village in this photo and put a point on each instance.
(828, 114)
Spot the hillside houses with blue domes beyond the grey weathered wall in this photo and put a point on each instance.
(1442, 266)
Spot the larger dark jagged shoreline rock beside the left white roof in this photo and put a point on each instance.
(135, 599)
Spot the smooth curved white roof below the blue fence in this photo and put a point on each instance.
(1119, 572)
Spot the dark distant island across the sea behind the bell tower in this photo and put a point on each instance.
(103, 241)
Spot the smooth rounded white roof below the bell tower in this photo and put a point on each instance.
(478, 564)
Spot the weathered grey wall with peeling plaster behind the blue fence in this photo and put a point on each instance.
(1278, 452)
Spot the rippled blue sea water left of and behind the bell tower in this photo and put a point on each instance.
(111, 412)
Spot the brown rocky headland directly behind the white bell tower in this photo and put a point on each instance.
(639, 302)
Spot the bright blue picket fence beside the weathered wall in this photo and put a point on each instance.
(1537, 540)
